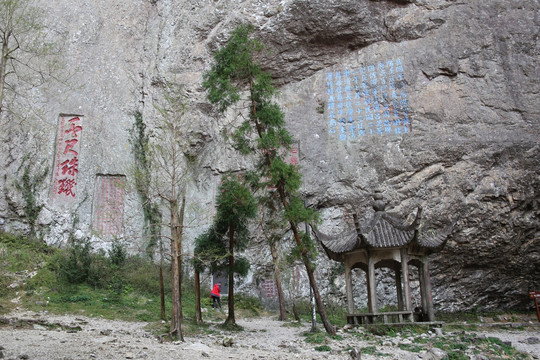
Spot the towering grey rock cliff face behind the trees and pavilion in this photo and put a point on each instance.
(433, 102)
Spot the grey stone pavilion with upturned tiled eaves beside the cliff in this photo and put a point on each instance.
(386, 242)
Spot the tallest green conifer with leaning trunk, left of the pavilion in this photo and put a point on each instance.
(263, 133)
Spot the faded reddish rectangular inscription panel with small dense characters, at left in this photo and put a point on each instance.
(109, 205)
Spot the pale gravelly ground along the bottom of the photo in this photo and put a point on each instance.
(29, 335)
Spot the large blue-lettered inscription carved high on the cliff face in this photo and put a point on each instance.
(370, 100)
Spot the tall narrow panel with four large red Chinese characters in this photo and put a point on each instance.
(67, 157)
